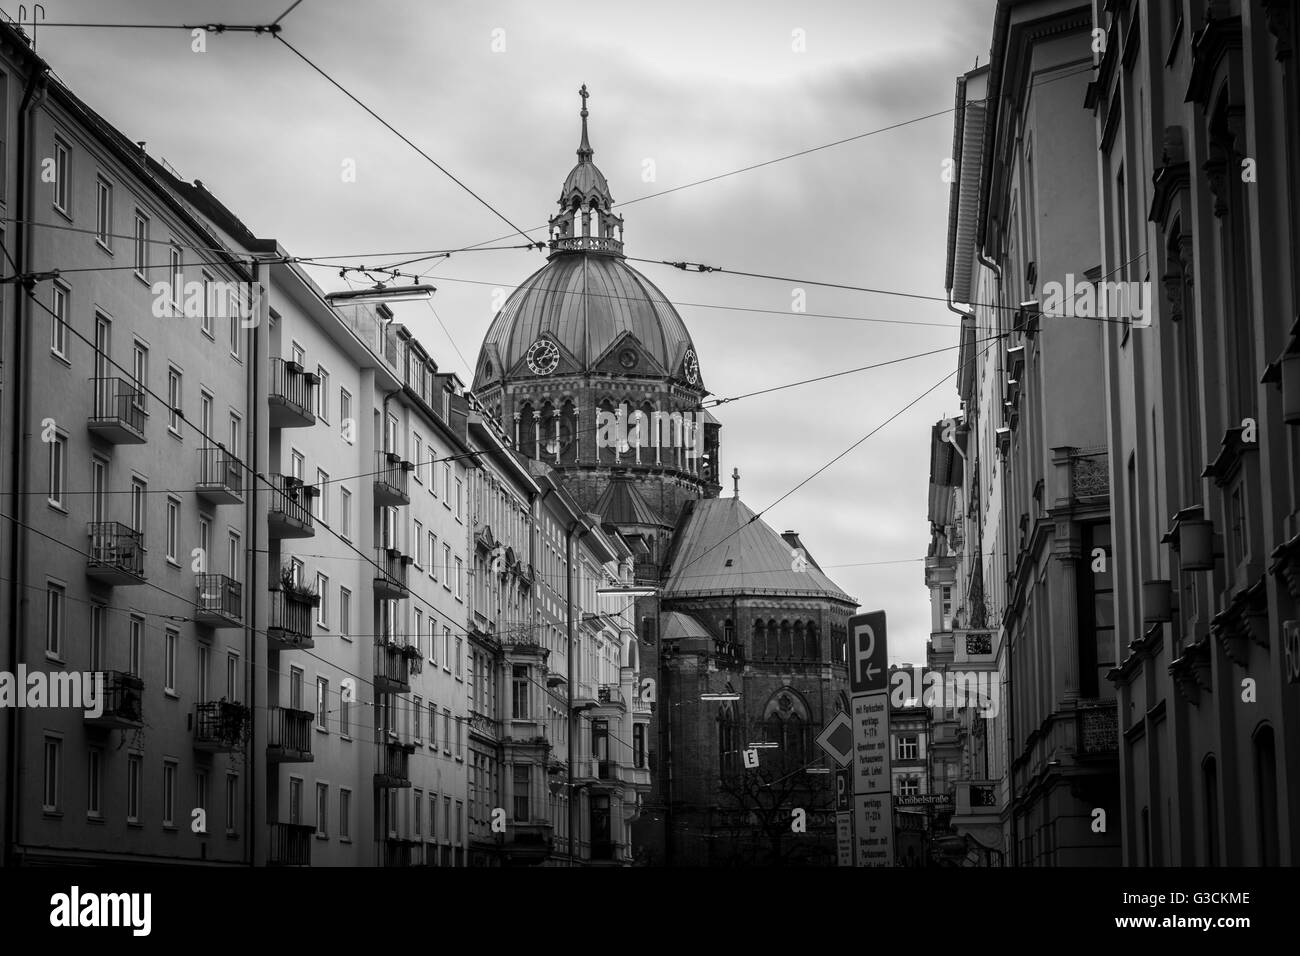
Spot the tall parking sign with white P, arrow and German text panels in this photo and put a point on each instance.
(869, 684)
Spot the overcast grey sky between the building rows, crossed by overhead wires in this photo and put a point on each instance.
(491, 92)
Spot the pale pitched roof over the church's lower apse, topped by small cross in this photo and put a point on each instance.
(723, 548)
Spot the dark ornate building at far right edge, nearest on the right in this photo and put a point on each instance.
(1193, 103)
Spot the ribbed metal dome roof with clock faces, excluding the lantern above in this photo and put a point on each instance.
(600, 314)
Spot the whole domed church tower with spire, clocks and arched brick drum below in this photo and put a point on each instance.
(592, 371)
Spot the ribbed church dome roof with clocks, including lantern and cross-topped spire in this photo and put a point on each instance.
(587, 310)
